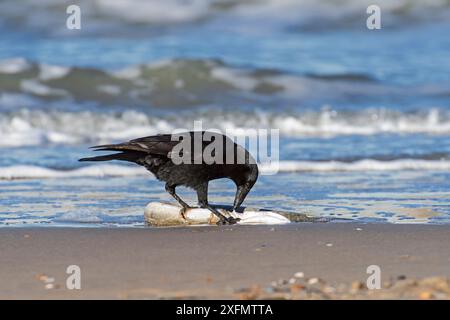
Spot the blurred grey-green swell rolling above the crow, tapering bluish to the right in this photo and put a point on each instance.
(196, 83)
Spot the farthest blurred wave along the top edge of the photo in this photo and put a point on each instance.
(102, 15)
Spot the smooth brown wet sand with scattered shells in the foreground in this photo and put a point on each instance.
(222, 262)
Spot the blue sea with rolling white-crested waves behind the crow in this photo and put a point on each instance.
(364, 115)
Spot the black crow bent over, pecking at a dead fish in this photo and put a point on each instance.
(190, 159)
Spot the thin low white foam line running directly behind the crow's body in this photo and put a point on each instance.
(108, 170)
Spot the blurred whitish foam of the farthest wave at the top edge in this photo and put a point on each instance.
(176, 11)
